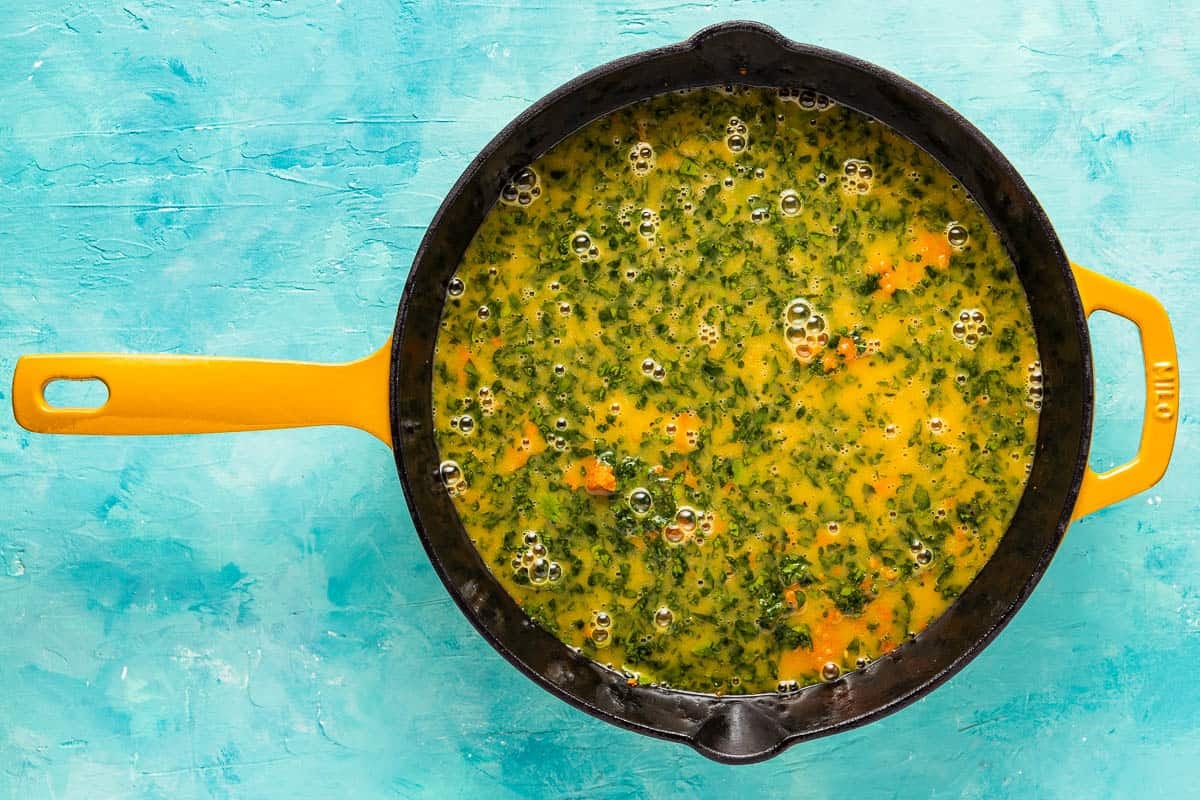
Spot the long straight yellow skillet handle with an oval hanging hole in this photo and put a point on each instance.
(181, 394)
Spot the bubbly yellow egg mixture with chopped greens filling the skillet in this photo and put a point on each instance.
(736, 390)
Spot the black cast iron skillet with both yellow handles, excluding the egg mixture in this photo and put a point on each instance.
(182, 395)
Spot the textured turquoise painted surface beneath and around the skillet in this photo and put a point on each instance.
(251, 616)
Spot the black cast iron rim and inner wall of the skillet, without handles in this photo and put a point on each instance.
(739, 730)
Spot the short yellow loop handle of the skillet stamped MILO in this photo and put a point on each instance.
(1101, 490)
